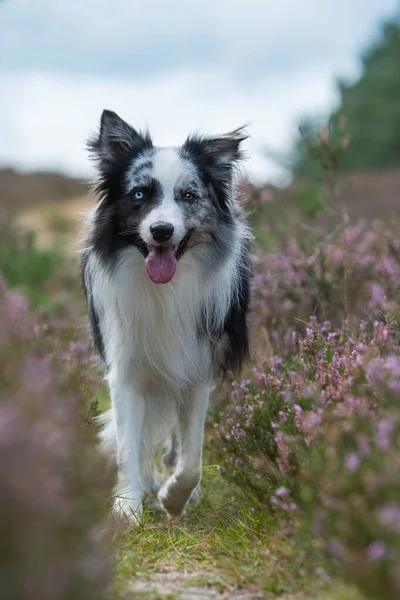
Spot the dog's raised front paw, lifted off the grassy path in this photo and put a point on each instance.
(177, 492)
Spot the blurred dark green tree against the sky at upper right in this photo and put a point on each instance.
(371, 107)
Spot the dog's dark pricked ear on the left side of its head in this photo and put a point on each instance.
(116, 142)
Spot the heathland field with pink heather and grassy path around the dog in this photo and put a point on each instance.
(301, 486)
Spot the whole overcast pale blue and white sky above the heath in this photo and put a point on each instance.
(176, 66)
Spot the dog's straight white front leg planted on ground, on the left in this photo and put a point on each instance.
(129, 412)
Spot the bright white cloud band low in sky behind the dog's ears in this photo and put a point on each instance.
(48, 119)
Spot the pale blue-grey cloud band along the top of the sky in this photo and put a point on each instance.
(142, 37)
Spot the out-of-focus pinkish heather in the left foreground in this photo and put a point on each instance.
(54, 485)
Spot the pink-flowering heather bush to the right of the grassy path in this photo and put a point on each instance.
(315, 432)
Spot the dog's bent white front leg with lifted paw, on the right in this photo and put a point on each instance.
(178, 489)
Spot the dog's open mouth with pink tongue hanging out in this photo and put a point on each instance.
(161, 261)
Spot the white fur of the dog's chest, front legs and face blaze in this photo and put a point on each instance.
(160, 374)
